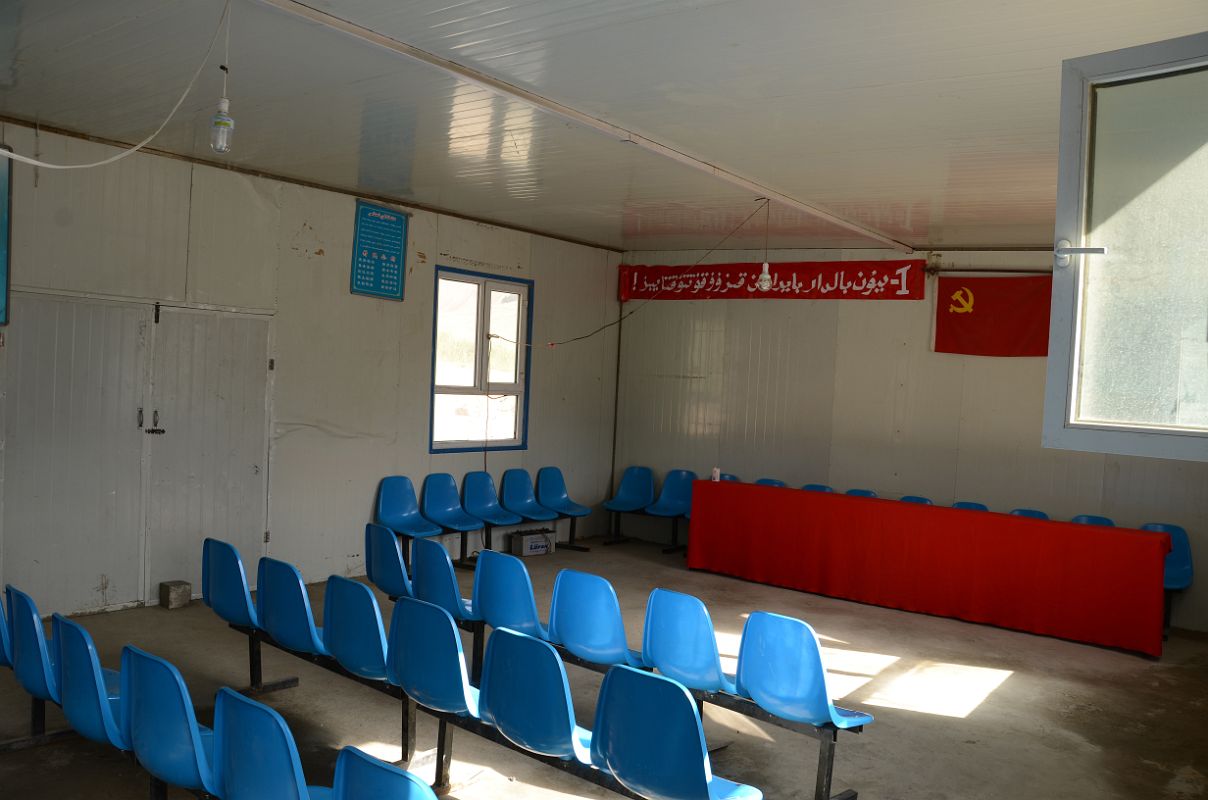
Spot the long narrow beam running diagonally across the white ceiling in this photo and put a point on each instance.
(578, 118)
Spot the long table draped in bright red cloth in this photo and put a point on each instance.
(1076, 582)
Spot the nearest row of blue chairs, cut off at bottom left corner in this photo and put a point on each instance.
(147, 710)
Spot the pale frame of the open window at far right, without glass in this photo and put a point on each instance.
(1079, 78)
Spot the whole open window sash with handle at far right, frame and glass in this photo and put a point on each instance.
(1129, 344)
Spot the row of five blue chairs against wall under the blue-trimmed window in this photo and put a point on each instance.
(440, 509)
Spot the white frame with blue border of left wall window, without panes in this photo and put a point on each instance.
(483, 386)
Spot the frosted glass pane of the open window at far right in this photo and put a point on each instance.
(1143, 350)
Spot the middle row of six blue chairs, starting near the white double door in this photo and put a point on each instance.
(647, 733)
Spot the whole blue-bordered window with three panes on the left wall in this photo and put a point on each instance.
(480, 362)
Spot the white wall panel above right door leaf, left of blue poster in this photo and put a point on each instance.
(233, 242)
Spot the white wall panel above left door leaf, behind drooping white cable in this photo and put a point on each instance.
(121, 230)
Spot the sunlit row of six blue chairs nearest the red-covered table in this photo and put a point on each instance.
(585, 619)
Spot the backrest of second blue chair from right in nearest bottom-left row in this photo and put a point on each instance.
(255, 753)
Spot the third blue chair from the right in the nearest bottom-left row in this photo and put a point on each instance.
(162, 727)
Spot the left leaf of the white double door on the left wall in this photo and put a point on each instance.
(73, 511)
